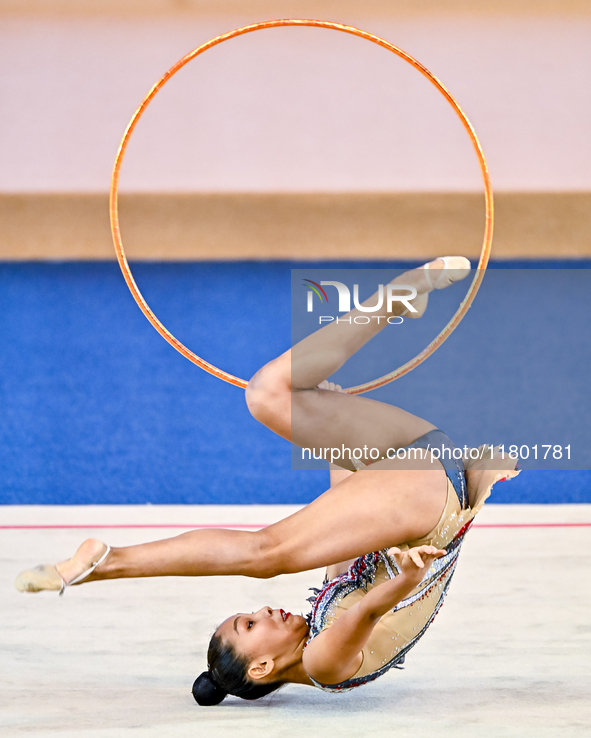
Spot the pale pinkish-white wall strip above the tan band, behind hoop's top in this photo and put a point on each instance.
(294, 109)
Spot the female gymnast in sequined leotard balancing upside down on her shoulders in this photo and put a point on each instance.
(411, 510)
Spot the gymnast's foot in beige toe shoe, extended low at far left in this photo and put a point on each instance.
(73, 571)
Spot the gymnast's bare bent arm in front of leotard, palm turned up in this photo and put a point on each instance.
(335, 654)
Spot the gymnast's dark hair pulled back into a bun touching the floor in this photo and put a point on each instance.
(227, 674)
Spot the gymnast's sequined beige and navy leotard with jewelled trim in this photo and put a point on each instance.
(401, 628)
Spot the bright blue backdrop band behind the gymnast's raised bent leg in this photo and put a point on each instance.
(97, 408)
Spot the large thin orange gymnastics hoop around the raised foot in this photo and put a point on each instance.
(489, 216)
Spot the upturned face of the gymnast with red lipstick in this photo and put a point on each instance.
(267, 634)
